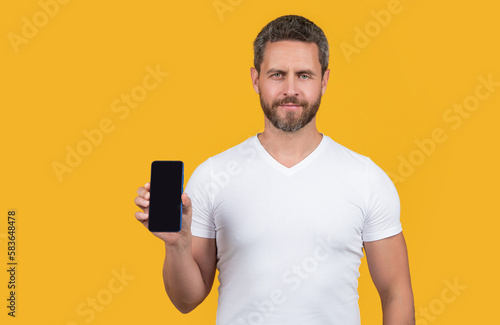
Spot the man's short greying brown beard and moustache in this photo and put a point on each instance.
(292, 121)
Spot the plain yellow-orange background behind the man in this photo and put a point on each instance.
(75, 233)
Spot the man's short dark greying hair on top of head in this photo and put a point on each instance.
(291, 28)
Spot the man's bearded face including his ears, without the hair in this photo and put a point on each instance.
(290, 84)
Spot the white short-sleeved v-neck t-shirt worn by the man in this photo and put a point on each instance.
(289, 240)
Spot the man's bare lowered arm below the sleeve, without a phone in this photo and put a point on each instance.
(388, 263)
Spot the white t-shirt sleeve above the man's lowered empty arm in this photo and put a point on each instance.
(382, 215)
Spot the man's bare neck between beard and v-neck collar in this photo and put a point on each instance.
(290, 148)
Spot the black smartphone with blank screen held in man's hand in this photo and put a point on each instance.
(165, 205)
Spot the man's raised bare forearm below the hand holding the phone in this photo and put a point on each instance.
(182, 278)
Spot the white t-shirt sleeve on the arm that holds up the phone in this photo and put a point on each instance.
(199, 190)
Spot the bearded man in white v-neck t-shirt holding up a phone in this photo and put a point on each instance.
(285, 215)
